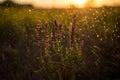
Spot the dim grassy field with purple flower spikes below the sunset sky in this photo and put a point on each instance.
(60, 44)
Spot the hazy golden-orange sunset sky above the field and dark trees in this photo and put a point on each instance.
(68, 3)
